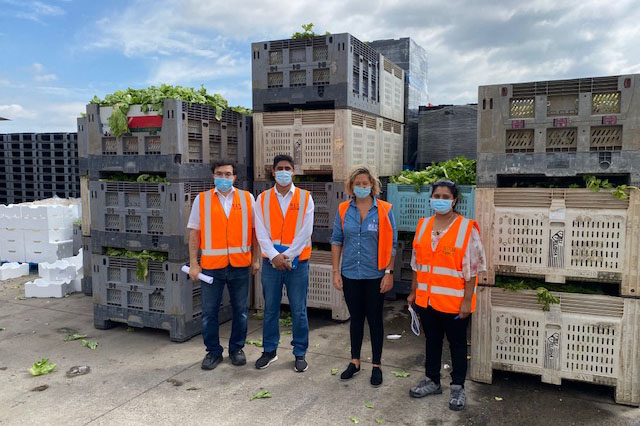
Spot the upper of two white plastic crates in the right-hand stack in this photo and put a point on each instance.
(561, 234)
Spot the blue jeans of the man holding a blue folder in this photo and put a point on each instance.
(297, 283)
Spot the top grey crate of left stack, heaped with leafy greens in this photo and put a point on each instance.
(189, 131)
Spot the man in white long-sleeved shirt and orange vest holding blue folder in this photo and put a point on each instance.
(284, 223)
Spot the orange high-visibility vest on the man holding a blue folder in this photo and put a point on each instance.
(283, 229)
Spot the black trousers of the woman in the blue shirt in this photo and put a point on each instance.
(364, 300)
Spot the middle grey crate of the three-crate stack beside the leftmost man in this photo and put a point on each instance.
(155, 209)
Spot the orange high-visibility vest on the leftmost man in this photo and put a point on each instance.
(223, 240)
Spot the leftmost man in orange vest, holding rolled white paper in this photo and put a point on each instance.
(222, 231)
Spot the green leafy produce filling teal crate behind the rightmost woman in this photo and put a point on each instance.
(460, 170)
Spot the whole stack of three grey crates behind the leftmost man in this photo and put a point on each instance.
(129, 210)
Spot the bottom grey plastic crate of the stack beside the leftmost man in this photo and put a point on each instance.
(167, 299)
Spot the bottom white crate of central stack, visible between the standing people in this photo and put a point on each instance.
(321, 293)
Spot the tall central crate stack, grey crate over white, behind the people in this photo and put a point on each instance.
(330, 102)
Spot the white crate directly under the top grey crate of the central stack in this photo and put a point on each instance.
(327, 142)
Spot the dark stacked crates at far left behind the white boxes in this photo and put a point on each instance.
(35, 166)
